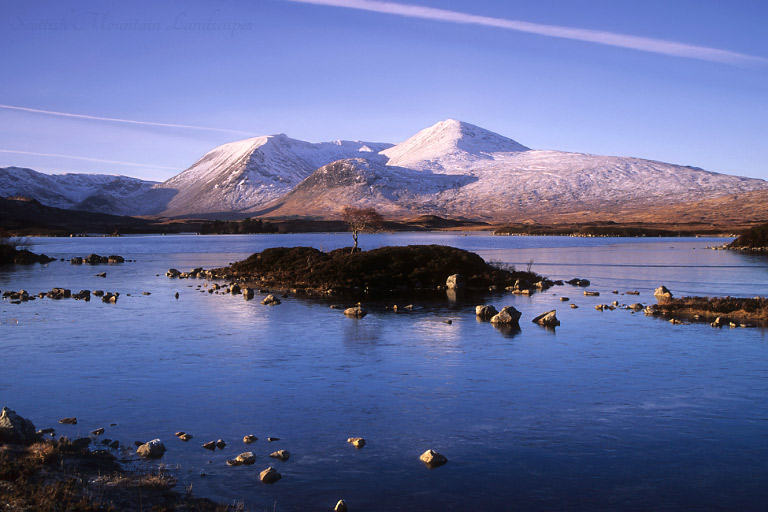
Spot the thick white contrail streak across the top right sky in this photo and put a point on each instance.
(645, 44)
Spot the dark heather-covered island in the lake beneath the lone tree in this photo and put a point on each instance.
(386, 270)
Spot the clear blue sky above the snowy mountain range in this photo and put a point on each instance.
(323, 72)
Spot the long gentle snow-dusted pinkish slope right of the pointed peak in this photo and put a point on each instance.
(542, 181)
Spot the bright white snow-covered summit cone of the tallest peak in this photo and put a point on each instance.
(450, 146)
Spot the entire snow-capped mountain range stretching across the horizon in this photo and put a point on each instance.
(451, 169)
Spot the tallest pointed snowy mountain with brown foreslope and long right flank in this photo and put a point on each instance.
(457, 169)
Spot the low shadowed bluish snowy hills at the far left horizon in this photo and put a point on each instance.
(89, 192)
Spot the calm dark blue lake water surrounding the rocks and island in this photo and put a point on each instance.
(613, 411)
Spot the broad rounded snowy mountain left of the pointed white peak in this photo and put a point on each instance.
(253, 172)
